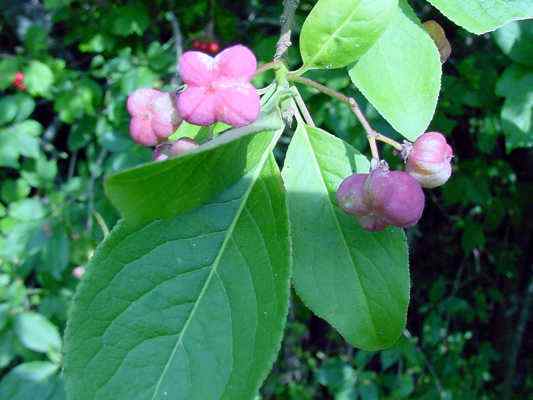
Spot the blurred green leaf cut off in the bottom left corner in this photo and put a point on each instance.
(26, 381)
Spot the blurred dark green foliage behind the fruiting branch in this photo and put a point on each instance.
(471, 272)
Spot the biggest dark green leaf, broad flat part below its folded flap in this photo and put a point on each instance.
(188, 307)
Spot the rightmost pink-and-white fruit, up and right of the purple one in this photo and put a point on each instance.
(429, 160)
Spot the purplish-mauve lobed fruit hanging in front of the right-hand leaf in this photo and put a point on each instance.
(382, 198)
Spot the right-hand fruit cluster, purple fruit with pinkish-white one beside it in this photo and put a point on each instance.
(382, 197)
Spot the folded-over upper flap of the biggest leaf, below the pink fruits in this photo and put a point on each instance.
(155, 190)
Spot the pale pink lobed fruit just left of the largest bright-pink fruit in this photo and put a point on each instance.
(154, 116)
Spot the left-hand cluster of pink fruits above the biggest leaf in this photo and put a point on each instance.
(218, 89)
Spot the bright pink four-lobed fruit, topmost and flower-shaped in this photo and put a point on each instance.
(219, 88)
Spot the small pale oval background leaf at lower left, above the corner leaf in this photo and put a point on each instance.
(36, 333)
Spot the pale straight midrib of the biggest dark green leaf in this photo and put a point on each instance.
(216, 263)
